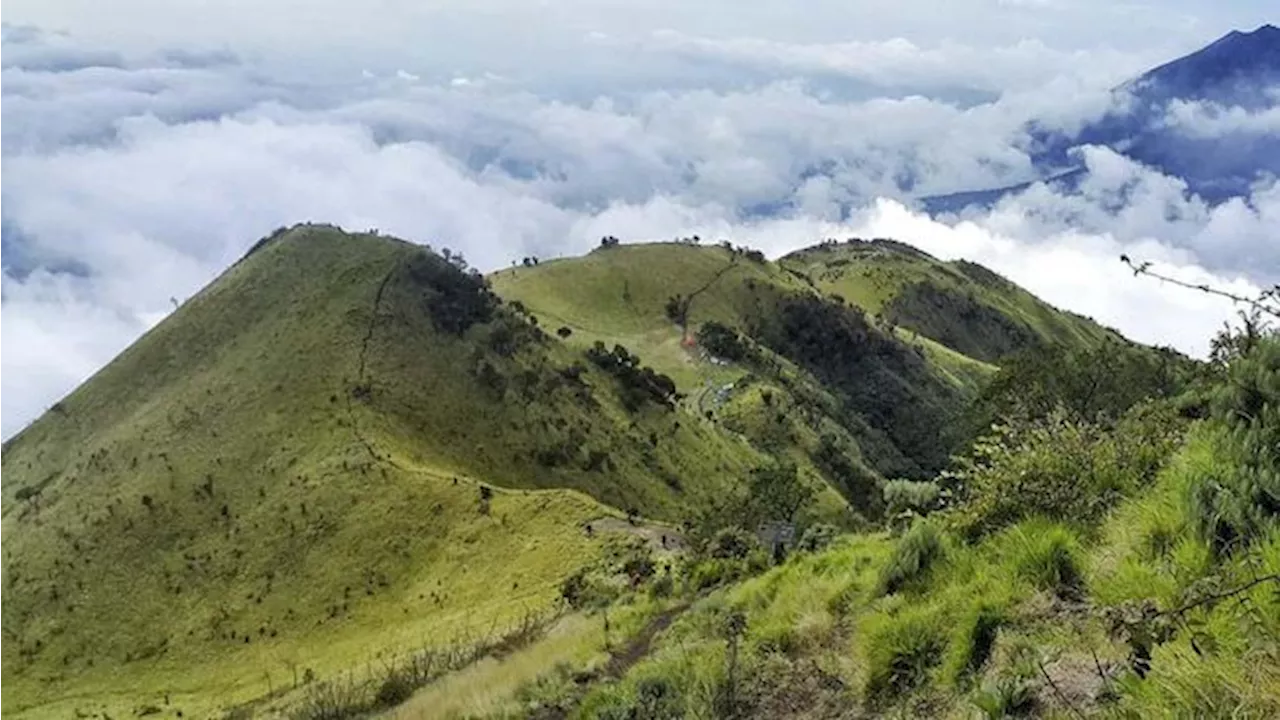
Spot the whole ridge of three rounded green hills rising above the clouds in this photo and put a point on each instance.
(349, 444)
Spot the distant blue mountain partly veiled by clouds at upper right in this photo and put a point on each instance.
(1172, 121)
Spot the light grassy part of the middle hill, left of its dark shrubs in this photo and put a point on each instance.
(619, 297)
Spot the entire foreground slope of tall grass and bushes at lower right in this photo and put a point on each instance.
(1072, 564)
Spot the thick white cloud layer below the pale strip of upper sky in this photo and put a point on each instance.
(129, 180)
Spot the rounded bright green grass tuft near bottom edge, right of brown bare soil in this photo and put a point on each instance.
(900, 655)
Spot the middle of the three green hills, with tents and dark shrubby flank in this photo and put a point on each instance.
(856, 398)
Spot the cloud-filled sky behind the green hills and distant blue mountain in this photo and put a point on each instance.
(149, 143)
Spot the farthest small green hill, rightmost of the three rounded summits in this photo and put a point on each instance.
(959, 304)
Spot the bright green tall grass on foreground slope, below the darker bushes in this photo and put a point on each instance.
(824, 617)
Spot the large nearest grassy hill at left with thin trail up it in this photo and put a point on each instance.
(217, 508)
